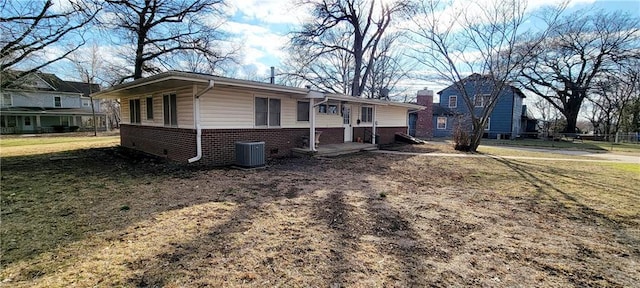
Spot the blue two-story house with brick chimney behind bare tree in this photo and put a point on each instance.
(505, 122)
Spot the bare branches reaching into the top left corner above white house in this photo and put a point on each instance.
(28, 28)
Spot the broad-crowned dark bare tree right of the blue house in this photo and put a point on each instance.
(579, 49)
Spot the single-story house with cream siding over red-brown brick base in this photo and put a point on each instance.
(192, 117)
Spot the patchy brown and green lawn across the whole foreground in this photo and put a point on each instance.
(109, 217)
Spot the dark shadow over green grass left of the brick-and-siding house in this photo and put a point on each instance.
(50, 200)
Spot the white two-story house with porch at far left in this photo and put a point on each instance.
(43, 103)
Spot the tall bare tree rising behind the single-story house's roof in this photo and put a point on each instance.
(349, 29)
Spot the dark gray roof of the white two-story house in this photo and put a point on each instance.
(54, 82)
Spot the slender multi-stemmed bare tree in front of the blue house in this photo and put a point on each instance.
(480, 39)
